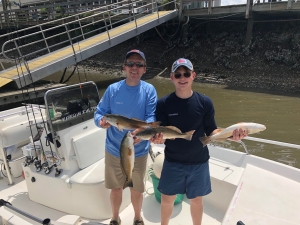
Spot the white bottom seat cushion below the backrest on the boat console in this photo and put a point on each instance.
(93, 174)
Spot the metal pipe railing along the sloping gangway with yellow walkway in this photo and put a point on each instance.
(81, 23)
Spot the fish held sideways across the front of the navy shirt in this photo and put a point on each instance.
(169, 132)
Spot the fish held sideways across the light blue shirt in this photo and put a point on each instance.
(122, 122)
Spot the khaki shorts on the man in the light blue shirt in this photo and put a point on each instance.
(114, 177)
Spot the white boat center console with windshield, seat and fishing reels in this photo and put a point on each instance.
(71, 156)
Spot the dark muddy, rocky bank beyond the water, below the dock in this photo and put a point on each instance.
(271, 63)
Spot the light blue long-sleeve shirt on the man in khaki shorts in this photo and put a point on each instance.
(130, 101)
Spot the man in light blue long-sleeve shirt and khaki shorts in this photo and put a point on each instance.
(132, 98)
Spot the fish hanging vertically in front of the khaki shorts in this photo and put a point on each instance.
(127, 156)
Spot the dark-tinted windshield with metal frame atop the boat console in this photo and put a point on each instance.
(70, 105)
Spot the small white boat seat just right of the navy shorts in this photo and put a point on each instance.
(224, 171)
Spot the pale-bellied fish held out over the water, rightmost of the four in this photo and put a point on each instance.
(226, 133)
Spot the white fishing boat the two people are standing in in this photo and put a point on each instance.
(64, 174)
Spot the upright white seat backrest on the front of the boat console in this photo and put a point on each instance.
(89, 147)
